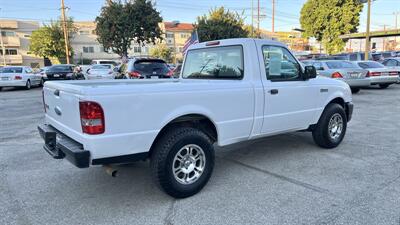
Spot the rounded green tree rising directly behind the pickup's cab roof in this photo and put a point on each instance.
(220, 24)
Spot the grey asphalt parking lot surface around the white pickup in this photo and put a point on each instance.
(284, 179)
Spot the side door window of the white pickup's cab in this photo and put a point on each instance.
(280, 65)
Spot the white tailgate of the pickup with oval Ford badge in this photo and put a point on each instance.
(62, 110)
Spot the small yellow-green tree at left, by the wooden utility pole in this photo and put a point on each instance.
(48, 41)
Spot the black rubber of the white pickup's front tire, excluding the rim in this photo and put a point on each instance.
(321, 133)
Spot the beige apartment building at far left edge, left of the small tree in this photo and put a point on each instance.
(15, 40)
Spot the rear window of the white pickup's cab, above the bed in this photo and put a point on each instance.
(214, 63)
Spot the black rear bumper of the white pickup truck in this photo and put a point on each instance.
(60, 146)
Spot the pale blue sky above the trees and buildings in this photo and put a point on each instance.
(287, 11)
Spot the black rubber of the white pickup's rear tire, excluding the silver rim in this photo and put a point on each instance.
(163, 155)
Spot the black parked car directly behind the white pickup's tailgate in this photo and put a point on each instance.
(62, 72)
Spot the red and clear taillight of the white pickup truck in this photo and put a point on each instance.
(92, 117)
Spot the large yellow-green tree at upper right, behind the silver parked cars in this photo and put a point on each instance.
(327, 20)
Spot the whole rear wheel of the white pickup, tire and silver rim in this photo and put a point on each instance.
(182, 161)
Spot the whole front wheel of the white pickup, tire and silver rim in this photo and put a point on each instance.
(331, 127)
